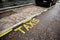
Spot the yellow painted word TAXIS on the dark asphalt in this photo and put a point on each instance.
(27, 25)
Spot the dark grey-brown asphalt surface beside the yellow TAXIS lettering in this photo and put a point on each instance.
(47, 29)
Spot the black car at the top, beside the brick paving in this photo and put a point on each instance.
(46, 3)
